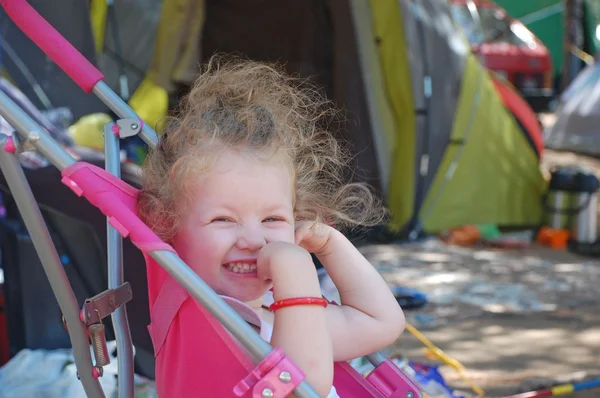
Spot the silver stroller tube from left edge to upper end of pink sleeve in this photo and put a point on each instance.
(29, 129)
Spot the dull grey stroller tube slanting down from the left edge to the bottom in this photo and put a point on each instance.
(54, 270)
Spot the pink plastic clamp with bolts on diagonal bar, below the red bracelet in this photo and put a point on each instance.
(276, 376)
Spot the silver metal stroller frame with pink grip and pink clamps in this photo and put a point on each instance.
(84, 324)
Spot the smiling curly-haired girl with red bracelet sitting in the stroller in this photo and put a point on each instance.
(244, 185)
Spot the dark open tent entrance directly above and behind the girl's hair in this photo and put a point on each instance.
(319, 44)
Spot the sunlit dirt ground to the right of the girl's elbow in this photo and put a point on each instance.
(511, 317)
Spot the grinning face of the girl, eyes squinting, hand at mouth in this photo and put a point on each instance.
(240, 205)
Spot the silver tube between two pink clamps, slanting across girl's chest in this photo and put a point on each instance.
(220, 310)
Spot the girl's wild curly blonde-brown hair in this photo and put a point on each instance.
(251, 106)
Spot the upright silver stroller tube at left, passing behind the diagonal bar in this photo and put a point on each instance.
(114, 242)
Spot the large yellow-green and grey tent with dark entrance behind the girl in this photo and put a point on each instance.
(430, 131)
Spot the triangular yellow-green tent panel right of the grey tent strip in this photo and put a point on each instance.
(495, 176)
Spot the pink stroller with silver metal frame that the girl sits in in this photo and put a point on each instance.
(268, 373)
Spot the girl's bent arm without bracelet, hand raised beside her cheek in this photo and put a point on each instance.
(369, 317)
